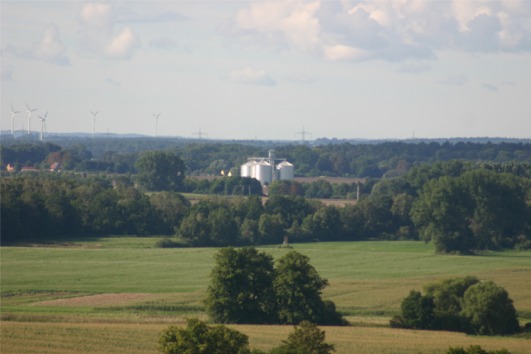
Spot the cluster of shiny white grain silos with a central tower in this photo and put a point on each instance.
(266, 169)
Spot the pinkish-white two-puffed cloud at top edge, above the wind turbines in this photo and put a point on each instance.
(98, 33)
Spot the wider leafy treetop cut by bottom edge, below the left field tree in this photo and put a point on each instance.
(199, 338)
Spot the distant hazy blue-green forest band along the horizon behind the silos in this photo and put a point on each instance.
(386, 159)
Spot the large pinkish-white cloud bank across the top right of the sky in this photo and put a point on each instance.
(386, 29)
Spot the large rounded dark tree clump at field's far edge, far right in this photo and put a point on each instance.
(478, 210)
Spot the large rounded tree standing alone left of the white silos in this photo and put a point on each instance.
(160, 171)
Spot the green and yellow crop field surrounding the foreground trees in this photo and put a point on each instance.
(116, 295)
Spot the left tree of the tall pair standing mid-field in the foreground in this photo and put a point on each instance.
(241, 287)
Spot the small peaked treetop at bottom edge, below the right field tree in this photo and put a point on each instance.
(306, 338)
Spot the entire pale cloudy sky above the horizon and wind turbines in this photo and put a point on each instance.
(270, 70)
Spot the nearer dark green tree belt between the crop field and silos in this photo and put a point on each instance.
(461, 207)
